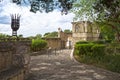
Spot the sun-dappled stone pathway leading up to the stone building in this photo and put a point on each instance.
(59, 66)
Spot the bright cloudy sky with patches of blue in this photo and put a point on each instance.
(32, 23)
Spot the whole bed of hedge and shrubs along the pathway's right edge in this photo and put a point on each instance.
(100, 55)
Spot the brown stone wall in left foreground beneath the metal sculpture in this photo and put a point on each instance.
(14, 58)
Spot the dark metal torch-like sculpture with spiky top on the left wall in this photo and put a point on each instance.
(15, 23)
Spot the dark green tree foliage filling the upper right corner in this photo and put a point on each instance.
(108, 12)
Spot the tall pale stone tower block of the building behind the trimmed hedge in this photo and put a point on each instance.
(84, 31)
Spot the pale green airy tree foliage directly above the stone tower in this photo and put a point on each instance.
(83, 10)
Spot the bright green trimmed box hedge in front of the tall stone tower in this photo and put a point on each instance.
(88, 48)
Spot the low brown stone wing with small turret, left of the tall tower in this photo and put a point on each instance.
(58, 42)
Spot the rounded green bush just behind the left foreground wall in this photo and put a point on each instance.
(38, 44)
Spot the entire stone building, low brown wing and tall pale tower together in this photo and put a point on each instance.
(81, 31)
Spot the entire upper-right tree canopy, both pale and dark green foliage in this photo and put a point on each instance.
(106, 13)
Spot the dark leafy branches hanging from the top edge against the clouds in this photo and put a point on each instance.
(48, 5)
